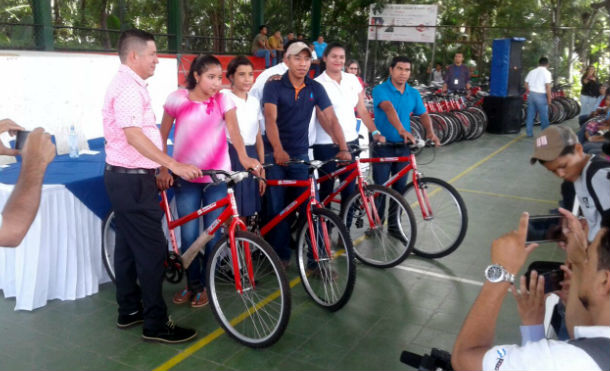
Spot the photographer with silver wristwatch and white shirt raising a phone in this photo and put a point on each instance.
(590, 289)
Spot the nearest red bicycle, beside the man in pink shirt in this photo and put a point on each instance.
(247, 286)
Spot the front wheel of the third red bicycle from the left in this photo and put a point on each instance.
(379, 246)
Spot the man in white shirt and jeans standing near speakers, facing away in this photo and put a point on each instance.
(538, 81)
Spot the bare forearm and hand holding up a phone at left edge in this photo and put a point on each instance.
(21, 208)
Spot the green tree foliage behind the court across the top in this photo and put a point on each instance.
(572, 33)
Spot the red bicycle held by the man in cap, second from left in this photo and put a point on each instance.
(324, 248)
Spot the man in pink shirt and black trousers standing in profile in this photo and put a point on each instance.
(133, 154)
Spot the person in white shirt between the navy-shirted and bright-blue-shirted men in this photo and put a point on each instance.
(346, 95)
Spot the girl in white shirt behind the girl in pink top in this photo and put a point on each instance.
(240, 72)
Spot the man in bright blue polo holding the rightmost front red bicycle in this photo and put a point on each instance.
(394, 101)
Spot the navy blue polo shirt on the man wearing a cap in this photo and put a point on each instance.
(294, 115)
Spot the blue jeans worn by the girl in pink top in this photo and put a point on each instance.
(191, 197)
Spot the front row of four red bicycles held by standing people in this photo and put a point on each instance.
(247, 285)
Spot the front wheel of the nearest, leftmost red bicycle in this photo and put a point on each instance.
(258, 315)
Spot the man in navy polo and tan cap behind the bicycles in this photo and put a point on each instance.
(289, 104)
